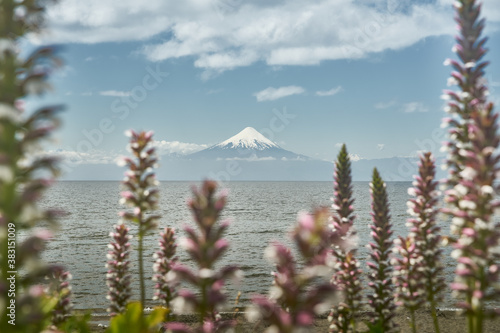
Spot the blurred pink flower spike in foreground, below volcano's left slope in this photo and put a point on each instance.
(205, 248)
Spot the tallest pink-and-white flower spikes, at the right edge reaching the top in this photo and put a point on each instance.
(473, 169)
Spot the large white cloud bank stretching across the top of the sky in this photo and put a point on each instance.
(225, 34)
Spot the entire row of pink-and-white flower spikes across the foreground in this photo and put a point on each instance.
(302, 287)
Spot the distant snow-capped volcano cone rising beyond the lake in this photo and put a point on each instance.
(248, 144)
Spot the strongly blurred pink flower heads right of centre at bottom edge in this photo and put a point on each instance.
(297, 294)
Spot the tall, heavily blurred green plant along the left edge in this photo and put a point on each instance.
(25, 173)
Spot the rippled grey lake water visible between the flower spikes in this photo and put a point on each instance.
(260, 212)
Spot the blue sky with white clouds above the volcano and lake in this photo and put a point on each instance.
(309, 75)
